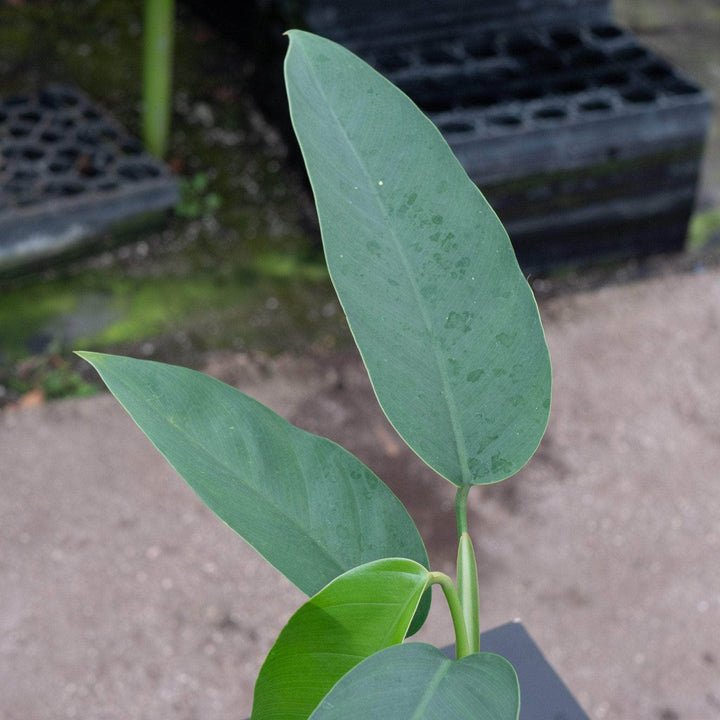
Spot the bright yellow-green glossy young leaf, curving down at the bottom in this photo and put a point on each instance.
(365, 610)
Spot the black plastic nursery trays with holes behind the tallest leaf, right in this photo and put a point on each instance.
(585, 142)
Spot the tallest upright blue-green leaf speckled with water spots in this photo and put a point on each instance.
(444, 319)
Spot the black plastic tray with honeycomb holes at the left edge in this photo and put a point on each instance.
(69, 172)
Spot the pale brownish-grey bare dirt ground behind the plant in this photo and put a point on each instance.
(121, 596)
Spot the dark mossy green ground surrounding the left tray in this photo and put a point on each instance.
(239, 267)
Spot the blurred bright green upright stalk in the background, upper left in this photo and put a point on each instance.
(157, 74)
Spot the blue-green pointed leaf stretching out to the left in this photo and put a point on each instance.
(308, 506)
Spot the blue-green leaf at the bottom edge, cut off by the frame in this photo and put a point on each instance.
(417, 682)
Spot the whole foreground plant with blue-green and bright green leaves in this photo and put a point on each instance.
(450, 334)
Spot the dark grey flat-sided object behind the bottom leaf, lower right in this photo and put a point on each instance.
(543, 695)
